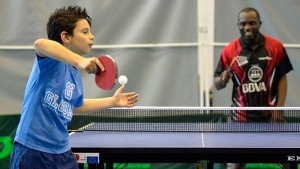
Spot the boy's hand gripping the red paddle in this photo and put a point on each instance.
(91, 65)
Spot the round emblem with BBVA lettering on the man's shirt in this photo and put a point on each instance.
(255, 74)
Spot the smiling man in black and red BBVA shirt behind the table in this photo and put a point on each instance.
(257, 65)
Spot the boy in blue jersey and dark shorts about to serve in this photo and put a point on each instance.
(54, 92)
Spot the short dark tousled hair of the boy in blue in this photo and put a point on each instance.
(65, 19)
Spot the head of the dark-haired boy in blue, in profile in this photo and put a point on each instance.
(71, 26)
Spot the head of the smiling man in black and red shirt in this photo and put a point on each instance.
(249, 24)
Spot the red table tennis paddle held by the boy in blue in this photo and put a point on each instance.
(106, 79)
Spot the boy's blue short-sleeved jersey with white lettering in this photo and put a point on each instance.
(53, 90)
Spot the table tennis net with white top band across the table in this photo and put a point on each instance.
(185, 119)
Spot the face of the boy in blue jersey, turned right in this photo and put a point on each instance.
(82, 39)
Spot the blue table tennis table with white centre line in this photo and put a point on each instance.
(187, 147)
